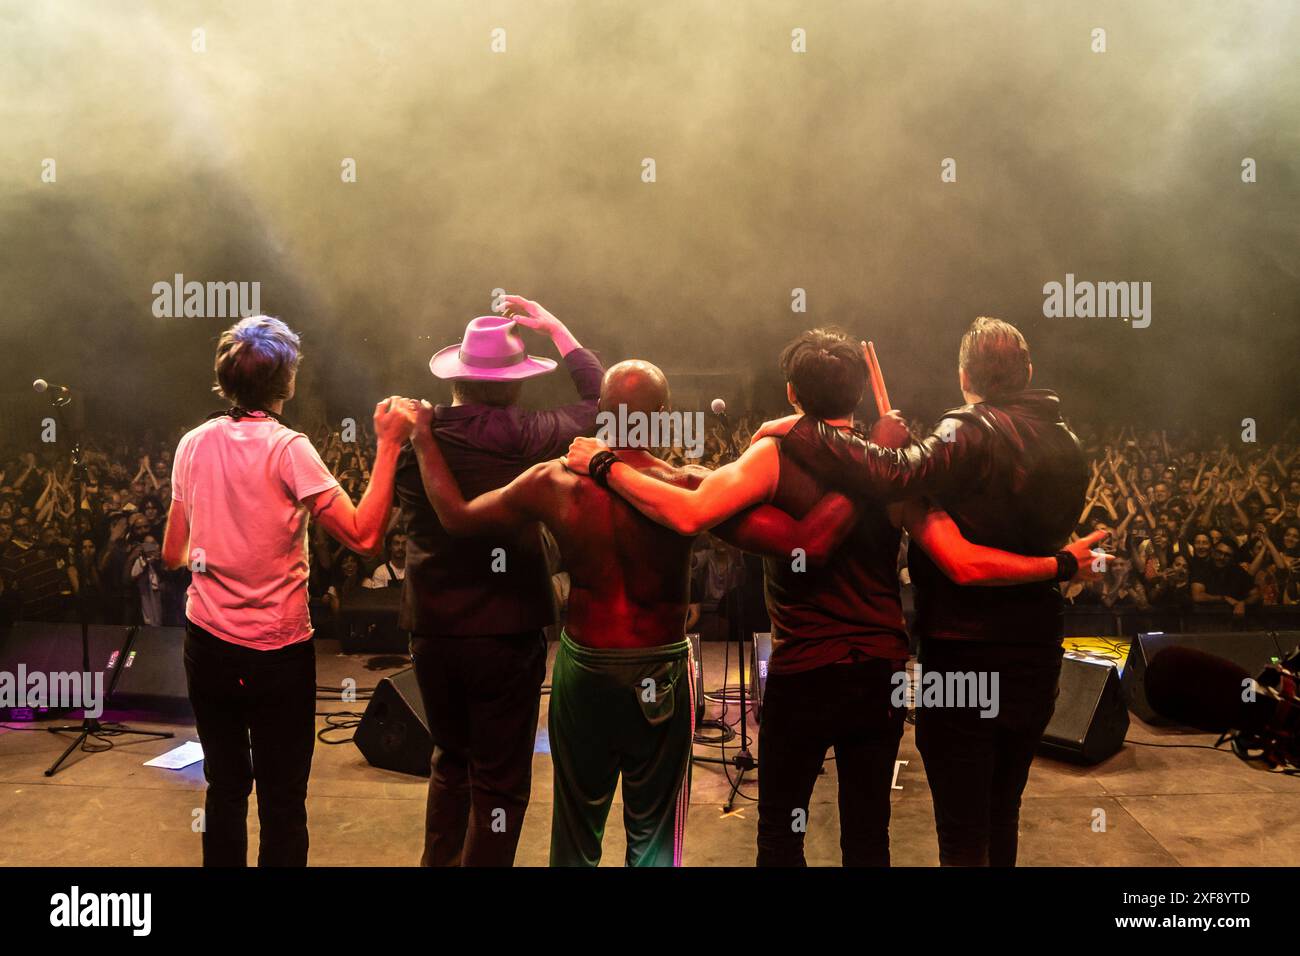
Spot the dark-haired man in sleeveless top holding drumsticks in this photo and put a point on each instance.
(838, 631)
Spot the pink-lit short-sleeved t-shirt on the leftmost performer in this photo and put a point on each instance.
(241, 485)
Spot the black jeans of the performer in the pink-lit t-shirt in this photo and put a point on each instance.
(257, 717)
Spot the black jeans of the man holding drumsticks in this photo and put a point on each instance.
(846, 707)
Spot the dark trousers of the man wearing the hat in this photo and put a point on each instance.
(482, 697)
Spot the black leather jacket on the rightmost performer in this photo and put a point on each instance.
(1009, 473)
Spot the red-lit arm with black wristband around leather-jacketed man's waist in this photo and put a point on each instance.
(968, 564)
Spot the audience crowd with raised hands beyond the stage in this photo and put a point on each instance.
(1194, 520)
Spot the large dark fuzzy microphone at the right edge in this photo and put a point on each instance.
(1210, 694)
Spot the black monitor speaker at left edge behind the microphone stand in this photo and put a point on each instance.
(55, 648)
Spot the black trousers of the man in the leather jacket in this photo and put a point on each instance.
(978, 767)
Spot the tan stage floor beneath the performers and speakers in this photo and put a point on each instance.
(1163, 807)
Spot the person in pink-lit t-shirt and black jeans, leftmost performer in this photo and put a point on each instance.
(244, 487)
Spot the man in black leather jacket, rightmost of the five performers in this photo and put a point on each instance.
(1011, 474)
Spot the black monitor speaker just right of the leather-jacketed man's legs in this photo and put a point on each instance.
(1090, 721)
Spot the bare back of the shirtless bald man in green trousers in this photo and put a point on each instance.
(630, 577)
